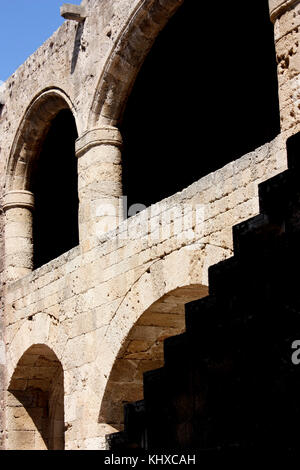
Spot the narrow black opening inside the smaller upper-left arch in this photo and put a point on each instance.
(54, 184)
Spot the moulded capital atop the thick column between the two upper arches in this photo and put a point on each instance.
(106, 135)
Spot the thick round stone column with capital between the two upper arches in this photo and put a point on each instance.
(99, 183)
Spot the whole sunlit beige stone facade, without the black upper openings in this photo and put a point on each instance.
(77, 334)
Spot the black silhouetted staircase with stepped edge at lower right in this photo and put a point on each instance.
(228, 382)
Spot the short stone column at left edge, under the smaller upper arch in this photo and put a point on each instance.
(18, 207)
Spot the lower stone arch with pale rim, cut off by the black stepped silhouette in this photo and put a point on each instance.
(152, 311)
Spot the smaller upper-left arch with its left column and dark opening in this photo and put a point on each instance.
(28, 186)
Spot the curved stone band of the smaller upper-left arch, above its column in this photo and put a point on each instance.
(30, 135)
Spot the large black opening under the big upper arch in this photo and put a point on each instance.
(206, 94)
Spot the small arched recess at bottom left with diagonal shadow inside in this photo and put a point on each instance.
(35, 412)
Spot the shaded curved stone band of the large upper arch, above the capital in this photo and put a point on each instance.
(126, 58)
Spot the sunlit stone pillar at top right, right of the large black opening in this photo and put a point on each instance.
(285, 14)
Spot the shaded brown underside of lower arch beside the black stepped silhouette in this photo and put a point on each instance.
(142, 351)
